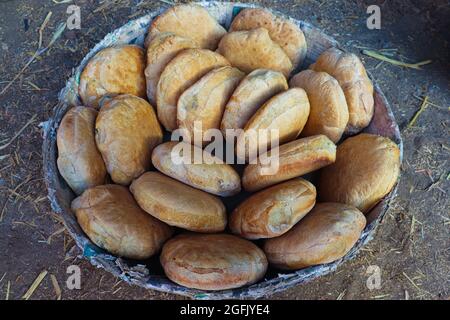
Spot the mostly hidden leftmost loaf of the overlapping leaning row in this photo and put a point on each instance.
(161, 49)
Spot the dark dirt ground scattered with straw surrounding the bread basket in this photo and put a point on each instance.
(411, 247)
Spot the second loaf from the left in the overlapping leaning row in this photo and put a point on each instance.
(178, 75)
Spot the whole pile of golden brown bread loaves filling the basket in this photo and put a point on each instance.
(192, 69)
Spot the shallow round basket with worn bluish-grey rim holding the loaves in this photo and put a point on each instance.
(149, 274)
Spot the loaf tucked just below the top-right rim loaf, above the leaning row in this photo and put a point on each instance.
(253, 49)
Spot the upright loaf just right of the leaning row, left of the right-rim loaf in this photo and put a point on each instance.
(329, 111)
